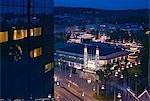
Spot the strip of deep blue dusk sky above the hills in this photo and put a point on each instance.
(105, 4)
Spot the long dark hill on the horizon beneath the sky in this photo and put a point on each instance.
(89, 15)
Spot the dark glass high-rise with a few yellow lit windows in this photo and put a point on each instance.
(26, 49)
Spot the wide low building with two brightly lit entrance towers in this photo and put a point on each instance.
(92, 56)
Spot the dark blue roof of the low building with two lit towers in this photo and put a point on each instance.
(105, 49)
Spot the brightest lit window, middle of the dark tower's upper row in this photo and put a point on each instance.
(19, 34)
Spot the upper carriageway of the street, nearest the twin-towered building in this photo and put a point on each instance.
(77, 86)
